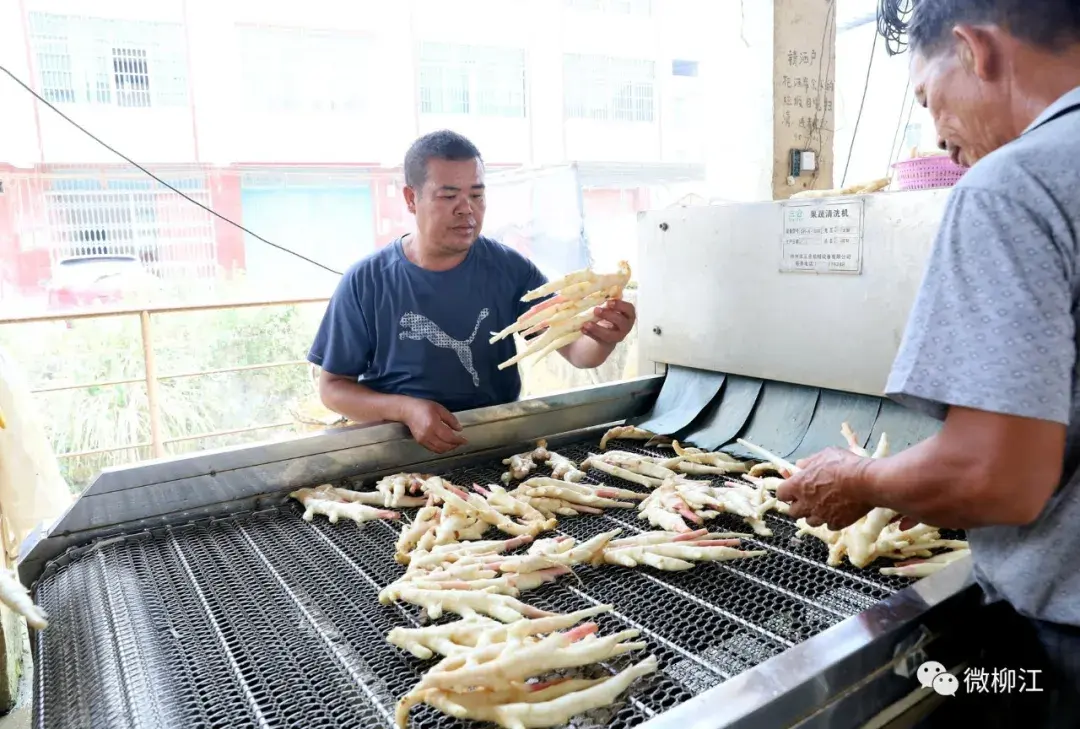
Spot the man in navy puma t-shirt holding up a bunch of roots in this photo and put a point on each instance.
(406, 336)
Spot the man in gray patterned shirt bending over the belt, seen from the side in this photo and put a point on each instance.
(991, 347)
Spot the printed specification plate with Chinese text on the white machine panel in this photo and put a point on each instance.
(822, 237)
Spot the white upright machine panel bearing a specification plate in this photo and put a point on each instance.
(809, 292)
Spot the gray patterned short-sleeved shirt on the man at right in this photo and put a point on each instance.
(994, 328)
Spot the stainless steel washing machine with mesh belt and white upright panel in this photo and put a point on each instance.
(190, 592)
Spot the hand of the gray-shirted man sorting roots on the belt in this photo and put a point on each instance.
(826, 490)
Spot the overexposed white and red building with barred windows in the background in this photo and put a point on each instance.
(292, 119)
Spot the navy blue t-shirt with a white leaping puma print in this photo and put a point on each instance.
(402, 330)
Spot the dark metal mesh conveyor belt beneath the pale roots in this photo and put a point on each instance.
(264, 619)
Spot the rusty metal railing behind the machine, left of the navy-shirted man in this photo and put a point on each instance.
(152, 377)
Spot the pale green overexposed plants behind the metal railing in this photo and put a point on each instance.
(112, 416)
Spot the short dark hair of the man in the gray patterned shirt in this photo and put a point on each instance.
(1047, 24)
